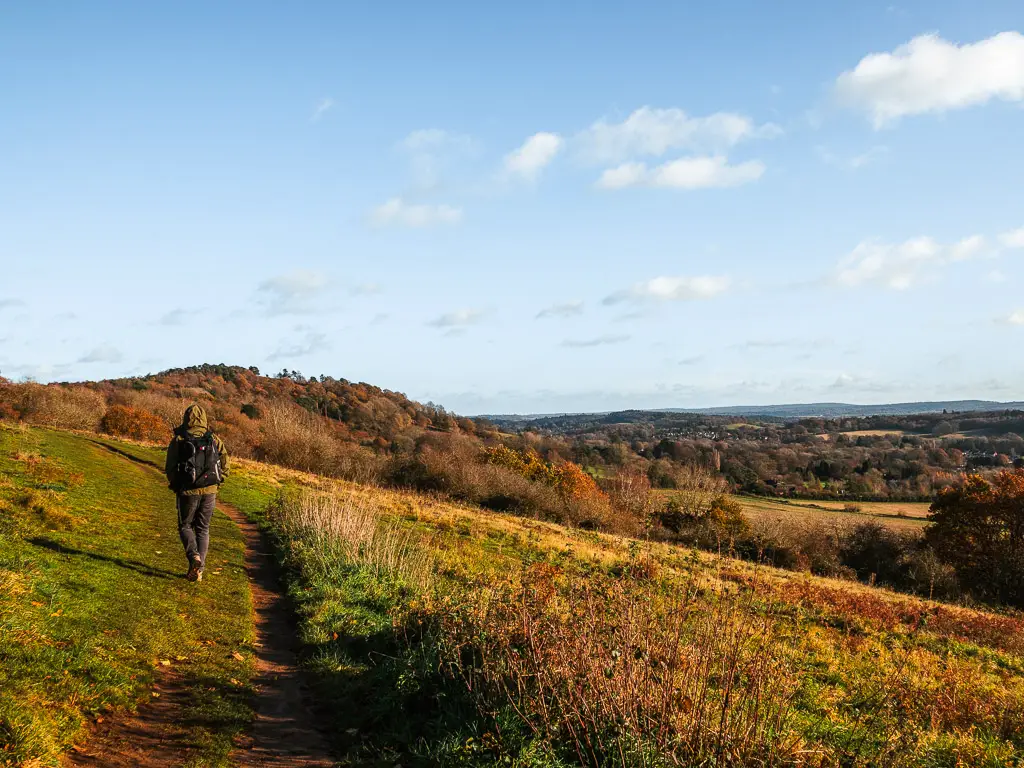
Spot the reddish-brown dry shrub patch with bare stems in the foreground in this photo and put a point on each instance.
(615, 672)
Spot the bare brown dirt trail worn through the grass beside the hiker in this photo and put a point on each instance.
(282, 737)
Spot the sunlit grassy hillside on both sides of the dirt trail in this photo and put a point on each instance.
(440, 633)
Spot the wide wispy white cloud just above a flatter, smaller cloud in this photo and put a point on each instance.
(651, 132)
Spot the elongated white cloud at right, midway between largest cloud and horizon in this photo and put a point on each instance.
(902, 266)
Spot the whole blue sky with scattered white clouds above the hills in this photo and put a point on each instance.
(537, 207)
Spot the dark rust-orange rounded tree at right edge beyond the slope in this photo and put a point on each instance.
(978, 528)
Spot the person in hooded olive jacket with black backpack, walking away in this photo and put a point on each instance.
(197, 464)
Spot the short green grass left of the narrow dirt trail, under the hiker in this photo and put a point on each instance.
(95, 608)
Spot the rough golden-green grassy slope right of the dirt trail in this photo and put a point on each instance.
(445, 634)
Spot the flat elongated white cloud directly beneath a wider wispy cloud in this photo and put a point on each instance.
(686, 174)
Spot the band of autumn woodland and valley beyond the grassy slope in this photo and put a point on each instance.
(619, 477)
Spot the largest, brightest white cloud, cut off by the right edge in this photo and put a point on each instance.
(932, 75)
